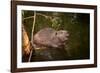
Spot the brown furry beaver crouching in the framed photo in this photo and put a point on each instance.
(50, 38)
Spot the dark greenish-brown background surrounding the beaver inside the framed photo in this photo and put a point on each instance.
(77, 24)
